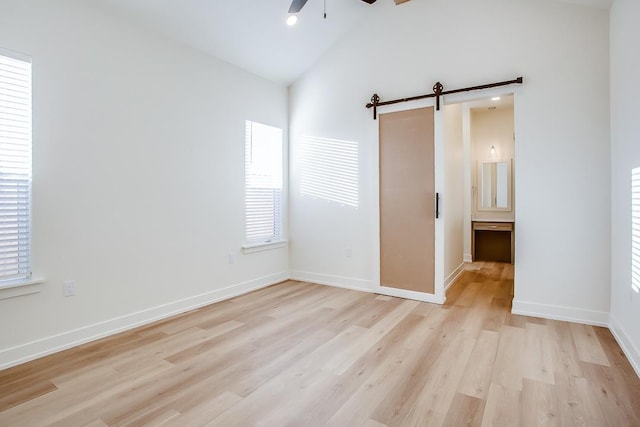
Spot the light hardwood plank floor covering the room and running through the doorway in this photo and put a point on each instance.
(298, 354)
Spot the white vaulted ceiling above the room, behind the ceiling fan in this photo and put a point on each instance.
(252, 34)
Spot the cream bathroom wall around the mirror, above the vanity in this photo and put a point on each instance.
(491, 128)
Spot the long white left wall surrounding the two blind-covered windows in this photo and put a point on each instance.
(138, 154)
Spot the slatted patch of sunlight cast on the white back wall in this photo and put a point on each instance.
(329, 170)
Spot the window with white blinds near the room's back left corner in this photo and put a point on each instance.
(263, 183)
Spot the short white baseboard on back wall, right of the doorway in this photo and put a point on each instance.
(556, 312)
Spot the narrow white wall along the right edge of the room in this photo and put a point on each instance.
(625, 155)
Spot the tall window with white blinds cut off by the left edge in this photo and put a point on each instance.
(15, 167)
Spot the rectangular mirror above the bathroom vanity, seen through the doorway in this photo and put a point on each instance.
(494, 186)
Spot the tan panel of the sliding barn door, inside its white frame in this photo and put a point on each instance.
(407, 200)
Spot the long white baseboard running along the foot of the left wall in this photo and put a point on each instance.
(53, 344)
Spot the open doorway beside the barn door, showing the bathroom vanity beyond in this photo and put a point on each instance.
(480, 226)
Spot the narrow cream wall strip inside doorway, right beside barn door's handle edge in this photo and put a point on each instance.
(454, 193)
